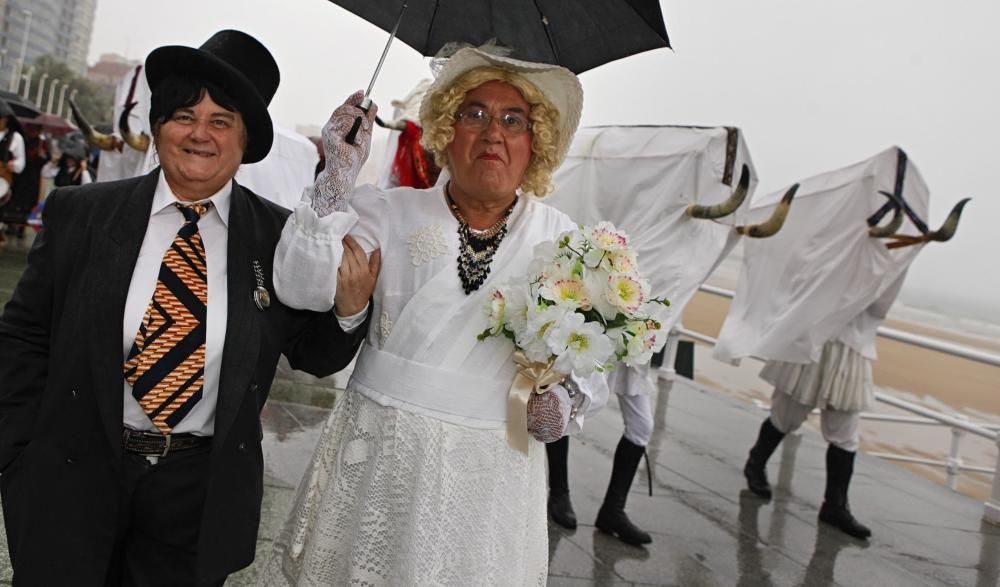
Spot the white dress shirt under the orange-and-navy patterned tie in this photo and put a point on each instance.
(164, 222)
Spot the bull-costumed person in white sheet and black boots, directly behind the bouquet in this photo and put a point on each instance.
(668, 181)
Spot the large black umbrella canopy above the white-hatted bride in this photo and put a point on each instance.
(578, 35)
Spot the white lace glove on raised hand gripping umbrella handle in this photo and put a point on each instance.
(334, 184)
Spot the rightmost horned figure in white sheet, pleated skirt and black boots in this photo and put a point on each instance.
(810, 301)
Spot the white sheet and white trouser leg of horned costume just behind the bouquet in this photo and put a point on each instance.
(642, 179)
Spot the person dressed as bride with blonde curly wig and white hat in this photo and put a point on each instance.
(413, 481)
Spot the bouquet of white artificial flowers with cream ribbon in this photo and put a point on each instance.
(583, 306)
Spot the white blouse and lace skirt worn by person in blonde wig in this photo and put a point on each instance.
(413, 482)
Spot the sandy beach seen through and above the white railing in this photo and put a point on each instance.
(931, 379)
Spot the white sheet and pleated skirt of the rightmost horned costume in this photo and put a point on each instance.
(811, 298)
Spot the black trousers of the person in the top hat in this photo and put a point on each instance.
(160, 519)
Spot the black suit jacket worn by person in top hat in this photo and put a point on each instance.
(61, 382)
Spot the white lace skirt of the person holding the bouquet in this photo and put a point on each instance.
(396, 498)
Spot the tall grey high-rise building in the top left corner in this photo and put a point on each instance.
(60, 28)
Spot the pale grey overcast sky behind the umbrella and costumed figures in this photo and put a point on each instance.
(815, 85)
